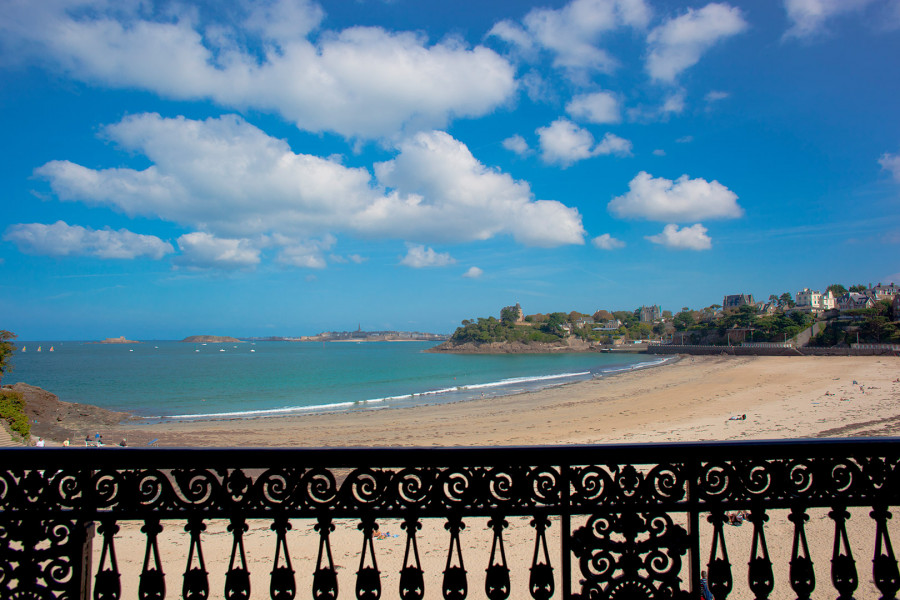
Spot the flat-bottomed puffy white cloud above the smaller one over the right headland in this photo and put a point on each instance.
(660, 199)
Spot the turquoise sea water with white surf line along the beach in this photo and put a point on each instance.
(177, 380)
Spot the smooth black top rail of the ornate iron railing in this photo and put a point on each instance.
(127, 458)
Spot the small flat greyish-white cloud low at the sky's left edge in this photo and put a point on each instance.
(62, 239)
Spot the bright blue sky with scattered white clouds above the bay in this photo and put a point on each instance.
(287, 167)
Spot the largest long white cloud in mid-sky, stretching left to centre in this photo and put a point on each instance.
(227, 178)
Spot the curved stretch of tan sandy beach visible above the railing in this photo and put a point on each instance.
(688, 400)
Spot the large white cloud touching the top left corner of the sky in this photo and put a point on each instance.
(358, 82)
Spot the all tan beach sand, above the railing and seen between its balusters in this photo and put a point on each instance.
(690, 400)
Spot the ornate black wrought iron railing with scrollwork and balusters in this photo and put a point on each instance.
(617, 521)
